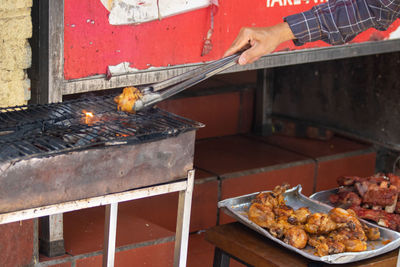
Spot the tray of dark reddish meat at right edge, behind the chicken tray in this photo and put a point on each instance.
(373, 198)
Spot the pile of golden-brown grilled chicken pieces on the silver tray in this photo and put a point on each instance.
(335, 232)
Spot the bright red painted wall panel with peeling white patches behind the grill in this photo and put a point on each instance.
(91, 43)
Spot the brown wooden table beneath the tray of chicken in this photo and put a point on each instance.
(236, 241)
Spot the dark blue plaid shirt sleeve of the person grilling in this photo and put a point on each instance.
(339, 21)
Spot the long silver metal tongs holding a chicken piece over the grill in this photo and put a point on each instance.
(160, 91)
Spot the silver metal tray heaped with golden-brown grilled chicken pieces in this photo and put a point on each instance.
(310, 228)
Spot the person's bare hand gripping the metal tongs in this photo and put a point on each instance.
(262, 41)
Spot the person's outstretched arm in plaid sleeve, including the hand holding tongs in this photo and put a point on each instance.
(335, 22)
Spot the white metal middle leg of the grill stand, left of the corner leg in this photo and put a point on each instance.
(110, 230)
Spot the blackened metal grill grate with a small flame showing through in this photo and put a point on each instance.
(40, 130)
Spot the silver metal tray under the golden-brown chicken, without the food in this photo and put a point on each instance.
(237, 207)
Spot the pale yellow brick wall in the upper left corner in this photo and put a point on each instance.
(15, 52)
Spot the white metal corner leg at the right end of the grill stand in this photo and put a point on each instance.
(183, 221)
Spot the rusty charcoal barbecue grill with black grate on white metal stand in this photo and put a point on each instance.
(84, 153)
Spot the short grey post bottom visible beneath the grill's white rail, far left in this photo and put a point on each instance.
(51, 240)
